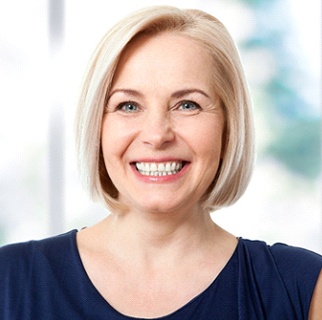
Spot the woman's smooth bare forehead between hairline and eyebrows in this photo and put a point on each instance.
(163, 56)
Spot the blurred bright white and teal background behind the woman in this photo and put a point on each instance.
(44, 48)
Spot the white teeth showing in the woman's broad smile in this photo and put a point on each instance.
(158, 169)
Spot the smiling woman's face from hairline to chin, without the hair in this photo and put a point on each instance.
(162, 133)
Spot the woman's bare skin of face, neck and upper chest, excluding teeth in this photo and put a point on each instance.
(161, 108)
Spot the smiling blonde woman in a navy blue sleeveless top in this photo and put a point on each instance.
(164, 136)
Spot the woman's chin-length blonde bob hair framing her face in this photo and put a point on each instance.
(229, 83)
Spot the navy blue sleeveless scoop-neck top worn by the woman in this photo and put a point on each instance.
(45, 280)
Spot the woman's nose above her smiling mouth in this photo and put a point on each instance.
(157, 129)
